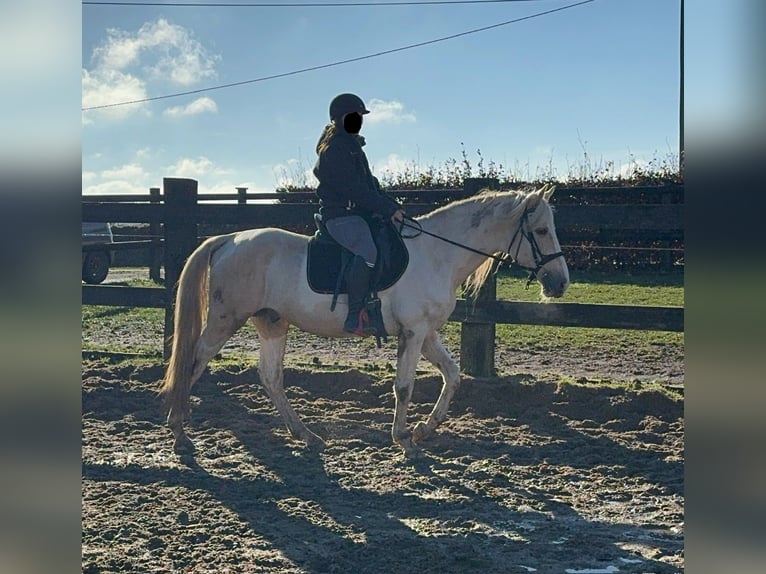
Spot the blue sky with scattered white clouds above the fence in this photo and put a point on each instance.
(593, 86)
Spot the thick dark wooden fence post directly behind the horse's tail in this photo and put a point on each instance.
(180, 240)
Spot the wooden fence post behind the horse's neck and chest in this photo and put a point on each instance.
(477, 340)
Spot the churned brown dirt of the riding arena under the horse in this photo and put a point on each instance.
(547, 468)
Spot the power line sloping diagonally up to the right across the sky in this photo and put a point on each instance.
(341, 62)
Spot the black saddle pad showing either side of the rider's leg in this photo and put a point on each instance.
(324, 263)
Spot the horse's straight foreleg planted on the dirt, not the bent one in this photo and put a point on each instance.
(407, 360)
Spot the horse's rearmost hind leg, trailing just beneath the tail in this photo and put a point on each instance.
(214, 335)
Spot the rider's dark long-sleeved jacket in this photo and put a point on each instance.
(346, 184)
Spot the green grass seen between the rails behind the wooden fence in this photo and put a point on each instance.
(119, 325)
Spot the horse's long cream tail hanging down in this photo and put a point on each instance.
(190, 310)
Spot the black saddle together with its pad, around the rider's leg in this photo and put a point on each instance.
(327, 258)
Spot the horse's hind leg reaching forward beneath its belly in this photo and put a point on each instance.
(272, 332)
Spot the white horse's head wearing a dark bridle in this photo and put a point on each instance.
(536, 248)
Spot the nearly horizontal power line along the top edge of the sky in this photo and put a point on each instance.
(302, 4)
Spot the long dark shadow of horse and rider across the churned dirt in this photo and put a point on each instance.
(383, 520)
